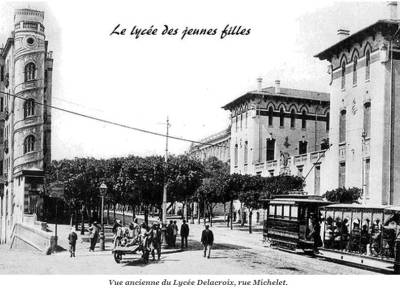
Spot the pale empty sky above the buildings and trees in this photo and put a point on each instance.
(140, 82)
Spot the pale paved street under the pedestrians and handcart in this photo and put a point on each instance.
(235, 252)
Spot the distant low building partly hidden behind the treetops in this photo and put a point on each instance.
(216, 145)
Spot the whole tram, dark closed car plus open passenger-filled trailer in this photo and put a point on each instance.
(364, 230)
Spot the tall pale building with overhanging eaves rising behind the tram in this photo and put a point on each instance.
(365, 111)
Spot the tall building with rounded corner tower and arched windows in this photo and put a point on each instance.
(25, 121)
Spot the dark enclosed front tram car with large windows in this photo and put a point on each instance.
(289, 219)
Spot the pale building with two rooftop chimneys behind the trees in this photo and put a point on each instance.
(277, 130)
